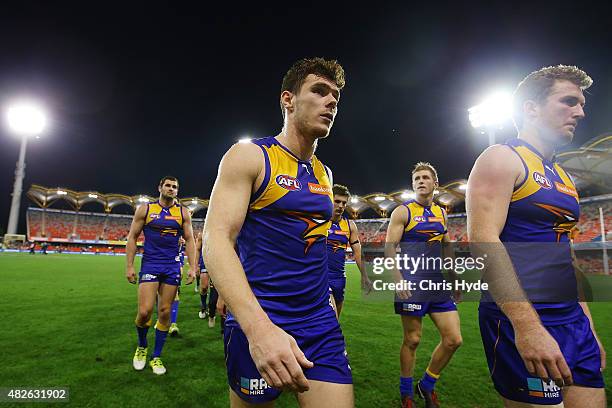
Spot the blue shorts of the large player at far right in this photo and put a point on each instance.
(510, 377)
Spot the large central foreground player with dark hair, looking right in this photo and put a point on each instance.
(273, 198)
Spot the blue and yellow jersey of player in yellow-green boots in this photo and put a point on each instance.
(163, 228)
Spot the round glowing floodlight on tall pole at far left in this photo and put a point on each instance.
(23, 118)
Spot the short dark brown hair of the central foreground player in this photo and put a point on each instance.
(328, 69)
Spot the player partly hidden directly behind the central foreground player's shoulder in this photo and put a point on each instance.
(342, 233)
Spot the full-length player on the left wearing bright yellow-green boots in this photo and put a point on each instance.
(163, 222)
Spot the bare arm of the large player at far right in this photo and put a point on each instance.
(490, 187)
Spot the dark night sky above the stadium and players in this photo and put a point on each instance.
(139, 91)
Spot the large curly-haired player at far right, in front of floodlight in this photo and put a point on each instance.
(540, 353)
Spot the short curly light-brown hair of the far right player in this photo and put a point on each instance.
(537, 85)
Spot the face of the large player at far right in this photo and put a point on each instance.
(558, 117)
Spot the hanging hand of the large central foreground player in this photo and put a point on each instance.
(278, 357)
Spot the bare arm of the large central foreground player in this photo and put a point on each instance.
(275, 353)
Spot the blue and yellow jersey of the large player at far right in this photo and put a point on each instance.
(542, 212)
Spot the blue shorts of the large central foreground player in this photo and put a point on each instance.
(321, 341)
